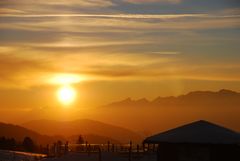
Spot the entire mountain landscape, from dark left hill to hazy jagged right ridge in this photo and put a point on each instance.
(146, 117)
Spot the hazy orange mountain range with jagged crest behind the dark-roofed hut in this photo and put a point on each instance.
(153, 116)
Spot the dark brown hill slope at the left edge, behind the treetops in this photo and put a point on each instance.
(19, 133)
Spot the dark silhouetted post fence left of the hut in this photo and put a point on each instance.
(129, 150)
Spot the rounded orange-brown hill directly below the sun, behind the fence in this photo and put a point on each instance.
(82, 127)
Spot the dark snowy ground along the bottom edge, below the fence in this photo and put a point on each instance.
(105, 156)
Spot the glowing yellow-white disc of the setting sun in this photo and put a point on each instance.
(66, 95)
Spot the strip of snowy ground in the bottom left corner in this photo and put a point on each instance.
(19, 156)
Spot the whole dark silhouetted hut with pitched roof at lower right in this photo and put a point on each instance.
(197, 141)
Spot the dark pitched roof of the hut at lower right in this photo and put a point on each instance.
(200, 132)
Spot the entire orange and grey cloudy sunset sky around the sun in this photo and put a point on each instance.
(109, 50)
